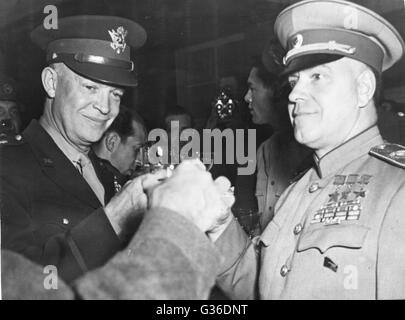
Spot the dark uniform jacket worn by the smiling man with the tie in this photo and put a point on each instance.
(49, 213)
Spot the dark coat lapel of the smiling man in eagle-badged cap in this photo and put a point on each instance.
(57, 166)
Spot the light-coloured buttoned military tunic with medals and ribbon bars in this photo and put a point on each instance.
(338, 232)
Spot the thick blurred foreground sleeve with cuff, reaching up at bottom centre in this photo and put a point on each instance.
(168, 258)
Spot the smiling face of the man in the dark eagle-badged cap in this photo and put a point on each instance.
(83, 109)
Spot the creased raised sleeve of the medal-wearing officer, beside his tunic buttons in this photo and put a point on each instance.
(239, 271)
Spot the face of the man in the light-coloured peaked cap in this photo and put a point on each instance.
(324, 106)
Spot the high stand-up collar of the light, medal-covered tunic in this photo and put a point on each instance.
(347, 152)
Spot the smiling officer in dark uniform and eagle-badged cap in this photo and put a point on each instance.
(52, 202)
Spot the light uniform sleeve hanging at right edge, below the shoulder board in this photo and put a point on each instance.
(391, 250)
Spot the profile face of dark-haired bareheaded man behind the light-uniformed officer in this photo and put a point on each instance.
(259, 99)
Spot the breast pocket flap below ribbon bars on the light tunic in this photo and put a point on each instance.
(325, 237)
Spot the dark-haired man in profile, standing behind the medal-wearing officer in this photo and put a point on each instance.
(280, 158)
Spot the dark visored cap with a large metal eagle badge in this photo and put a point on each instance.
(96, 47)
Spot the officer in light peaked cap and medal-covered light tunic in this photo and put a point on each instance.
(338, 231)
